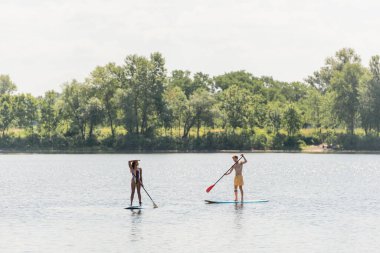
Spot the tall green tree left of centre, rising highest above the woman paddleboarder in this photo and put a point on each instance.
(142, 95)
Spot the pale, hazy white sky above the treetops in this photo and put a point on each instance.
(46, 43)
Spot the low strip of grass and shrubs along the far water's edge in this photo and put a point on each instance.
(208, 140)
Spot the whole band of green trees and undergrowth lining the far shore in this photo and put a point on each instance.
(139, 105)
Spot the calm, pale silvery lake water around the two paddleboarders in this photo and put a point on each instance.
(75, 203)
